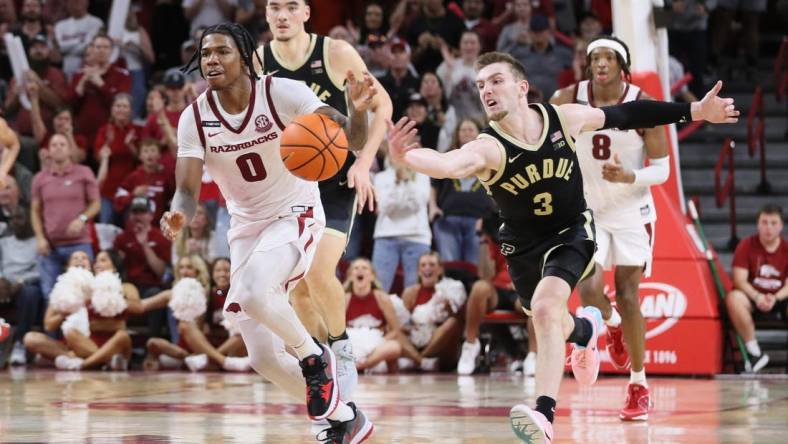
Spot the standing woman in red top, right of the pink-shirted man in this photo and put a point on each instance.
(116, 144)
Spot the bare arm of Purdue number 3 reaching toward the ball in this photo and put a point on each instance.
(474, 158)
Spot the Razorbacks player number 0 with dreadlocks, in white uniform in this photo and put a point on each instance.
(234, 130)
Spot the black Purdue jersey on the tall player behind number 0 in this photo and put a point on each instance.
(314, 72)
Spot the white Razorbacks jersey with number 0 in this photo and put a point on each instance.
(241, 151)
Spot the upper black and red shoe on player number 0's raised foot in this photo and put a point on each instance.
(320, 373)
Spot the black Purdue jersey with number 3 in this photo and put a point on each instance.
(538, 187)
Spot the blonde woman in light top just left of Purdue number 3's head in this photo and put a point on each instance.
(459, 78)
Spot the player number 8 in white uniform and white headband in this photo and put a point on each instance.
(617, 185)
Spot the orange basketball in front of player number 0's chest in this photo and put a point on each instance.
(314, 147)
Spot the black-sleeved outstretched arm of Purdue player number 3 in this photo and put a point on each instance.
(650, 113)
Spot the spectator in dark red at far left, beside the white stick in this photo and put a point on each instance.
(50, 84)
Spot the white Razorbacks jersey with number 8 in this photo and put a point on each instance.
(613, 203)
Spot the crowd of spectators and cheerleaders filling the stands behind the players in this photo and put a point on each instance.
(88, 144)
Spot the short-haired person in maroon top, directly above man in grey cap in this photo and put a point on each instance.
(149, 180)
